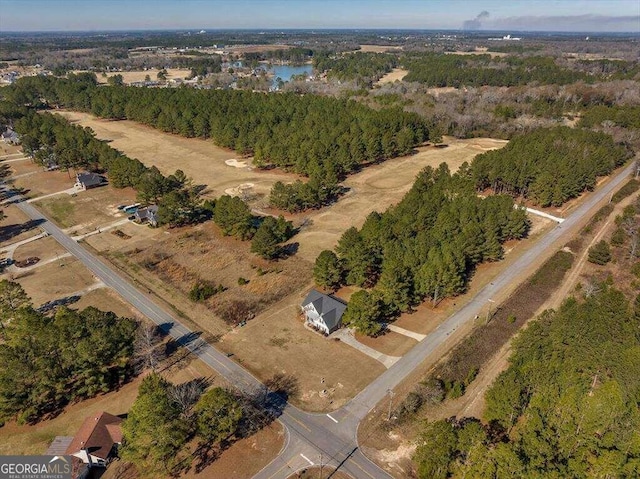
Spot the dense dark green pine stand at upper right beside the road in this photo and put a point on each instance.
(549, 166)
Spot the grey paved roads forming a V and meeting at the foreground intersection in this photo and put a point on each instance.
(327, 438)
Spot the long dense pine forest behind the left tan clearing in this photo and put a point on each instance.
(300, 133)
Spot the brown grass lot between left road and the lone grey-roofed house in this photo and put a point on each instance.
(275, 342)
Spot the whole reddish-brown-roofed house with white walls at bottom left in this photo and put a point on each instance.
(97, 440)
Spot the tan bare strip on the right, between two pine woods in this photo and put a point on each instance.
(377, 187)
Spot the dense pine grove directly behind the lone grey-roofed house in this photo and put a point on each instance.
(426, 247)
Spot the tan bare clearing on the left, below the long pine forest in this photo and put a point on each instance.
(199, 159)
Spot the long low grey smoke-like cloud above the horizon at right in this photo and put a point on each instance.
(576, 23)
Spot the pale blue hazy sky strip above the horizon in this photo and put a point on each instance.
(516, 15)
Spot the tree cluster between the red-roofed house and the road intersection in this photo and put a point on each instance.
(166, 417)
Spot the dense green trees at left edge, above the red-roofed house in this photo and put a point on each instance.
(49, 361)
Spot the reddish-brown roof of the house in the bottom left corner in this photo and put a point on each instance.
(97, 434)
